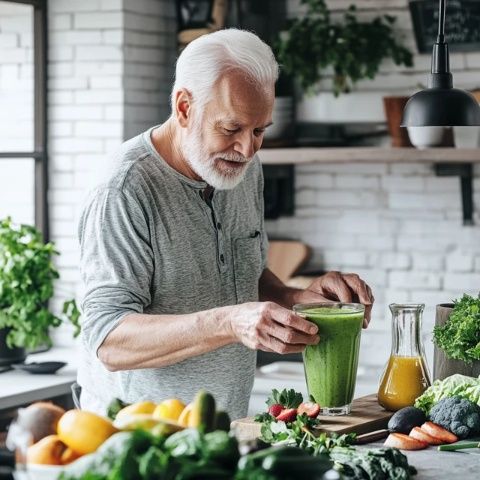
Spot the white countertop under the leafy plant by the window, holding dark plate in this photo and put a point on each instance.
(18, 387)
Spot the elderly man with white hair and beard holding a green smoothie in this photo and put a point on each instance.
(173, 245)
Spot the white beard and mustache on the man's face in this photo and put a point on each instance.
(205, 165)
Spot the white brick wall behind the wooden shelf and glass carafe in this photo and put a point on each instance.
(403, 233)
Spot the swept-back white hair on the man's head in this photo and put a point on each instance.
(207, 58)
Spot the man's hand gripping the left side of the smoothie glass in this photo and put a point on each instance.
(269, 327)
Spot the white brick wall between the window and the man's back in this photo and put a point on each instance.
(110, 70)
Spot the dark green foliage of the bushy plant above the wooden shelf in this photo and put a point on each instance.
(354, 50)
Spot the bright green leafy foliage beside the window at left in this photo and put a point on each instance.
(26, 285)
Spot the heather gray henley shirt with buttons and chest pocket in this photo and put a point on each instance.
(151, 244)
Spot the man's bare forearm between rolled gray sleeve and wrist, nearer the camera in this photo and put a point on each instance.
(153, 341)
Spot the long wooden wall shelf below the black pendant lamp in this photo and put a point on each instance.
(305, 155)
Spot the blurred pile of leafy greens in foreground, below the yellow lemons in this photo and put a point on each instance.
(139, 455)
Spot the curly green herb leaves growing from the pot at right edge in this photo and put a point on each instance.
(459, 338)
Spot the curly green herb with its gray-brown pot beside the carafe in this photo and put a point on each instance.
(456, 336)
